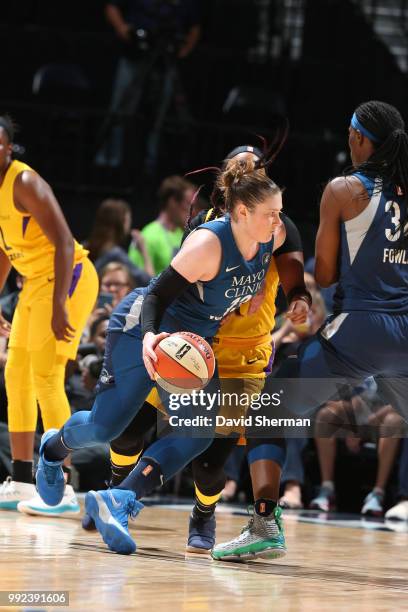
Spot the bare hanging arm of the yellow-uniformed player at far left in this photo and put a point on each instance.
(35, 197)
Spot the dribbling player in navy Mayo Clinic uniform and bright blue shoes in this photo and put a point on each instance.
(191, 295)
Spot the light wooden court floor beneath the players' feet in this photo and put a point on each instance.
(327, 568)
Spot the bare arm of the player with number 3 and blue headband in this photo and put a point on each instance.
(335, 195)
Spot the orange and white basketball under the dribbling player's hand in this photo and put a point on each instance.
(185, 363)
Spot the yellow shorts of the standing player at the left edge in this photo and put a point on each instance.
(31, 326)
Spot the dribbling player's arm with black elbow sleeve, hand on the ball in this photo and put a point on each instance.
(198, 260)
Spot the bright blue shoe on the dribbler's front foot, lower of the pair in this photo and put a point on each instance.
(110, 511)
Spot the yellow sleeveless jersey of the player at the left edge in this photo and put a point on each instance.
(21, 238)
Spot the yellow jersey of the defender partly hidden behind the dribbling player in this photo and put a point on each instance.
(244, 325)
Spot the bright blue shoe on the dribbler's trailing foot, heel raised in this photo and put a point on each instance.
(49, 477)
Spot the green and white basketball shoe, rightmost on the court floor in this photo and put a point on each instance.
(262, 537)
